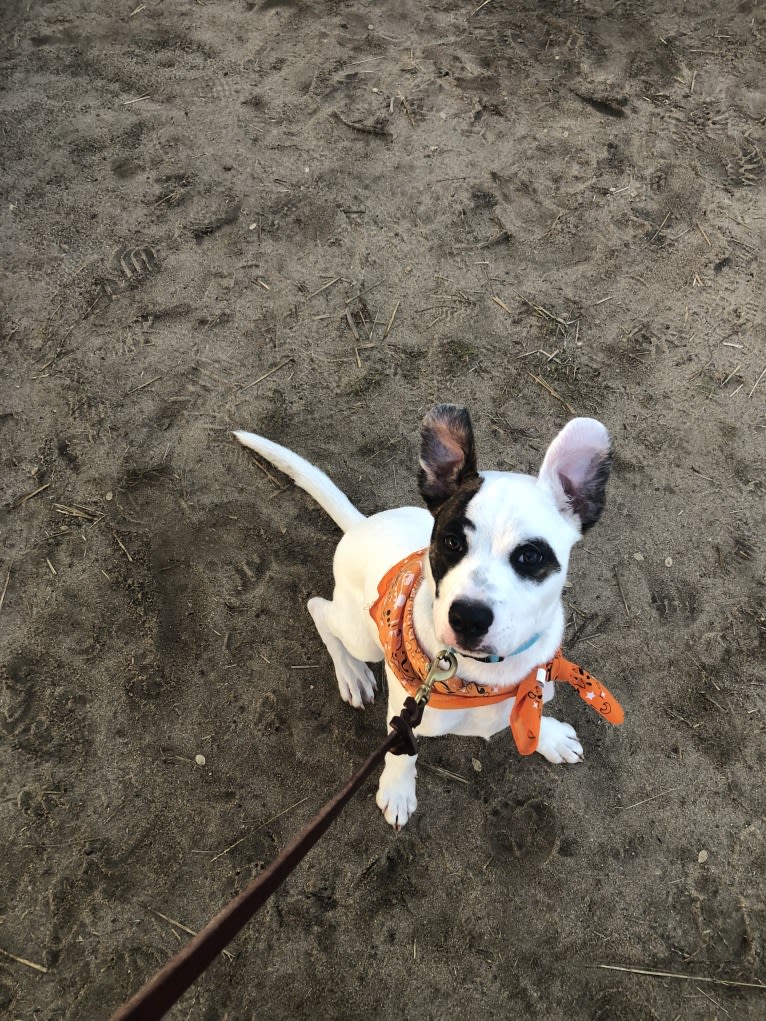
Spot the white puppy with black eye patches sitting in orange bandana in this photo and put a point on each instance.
(485, 568)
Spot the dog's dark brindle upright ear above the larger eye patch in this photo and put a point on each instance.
(448, 456)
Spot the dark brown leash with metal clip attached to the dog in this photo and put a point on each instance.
(161, 993)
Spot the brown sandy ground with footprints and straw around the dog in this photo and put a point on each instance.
(315, 220)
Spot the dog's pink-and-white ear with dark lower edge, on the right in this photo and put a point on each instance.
(577, 469)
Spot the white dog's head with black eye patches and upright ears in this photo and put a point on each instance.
(501, 542)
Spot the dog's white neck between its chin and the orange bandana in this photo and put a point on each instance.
(507, 672)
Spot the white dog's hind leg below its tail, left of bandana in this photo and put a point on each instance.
(350, 647)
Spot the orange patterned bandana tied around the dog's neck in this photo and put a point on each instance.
(393, 613)
